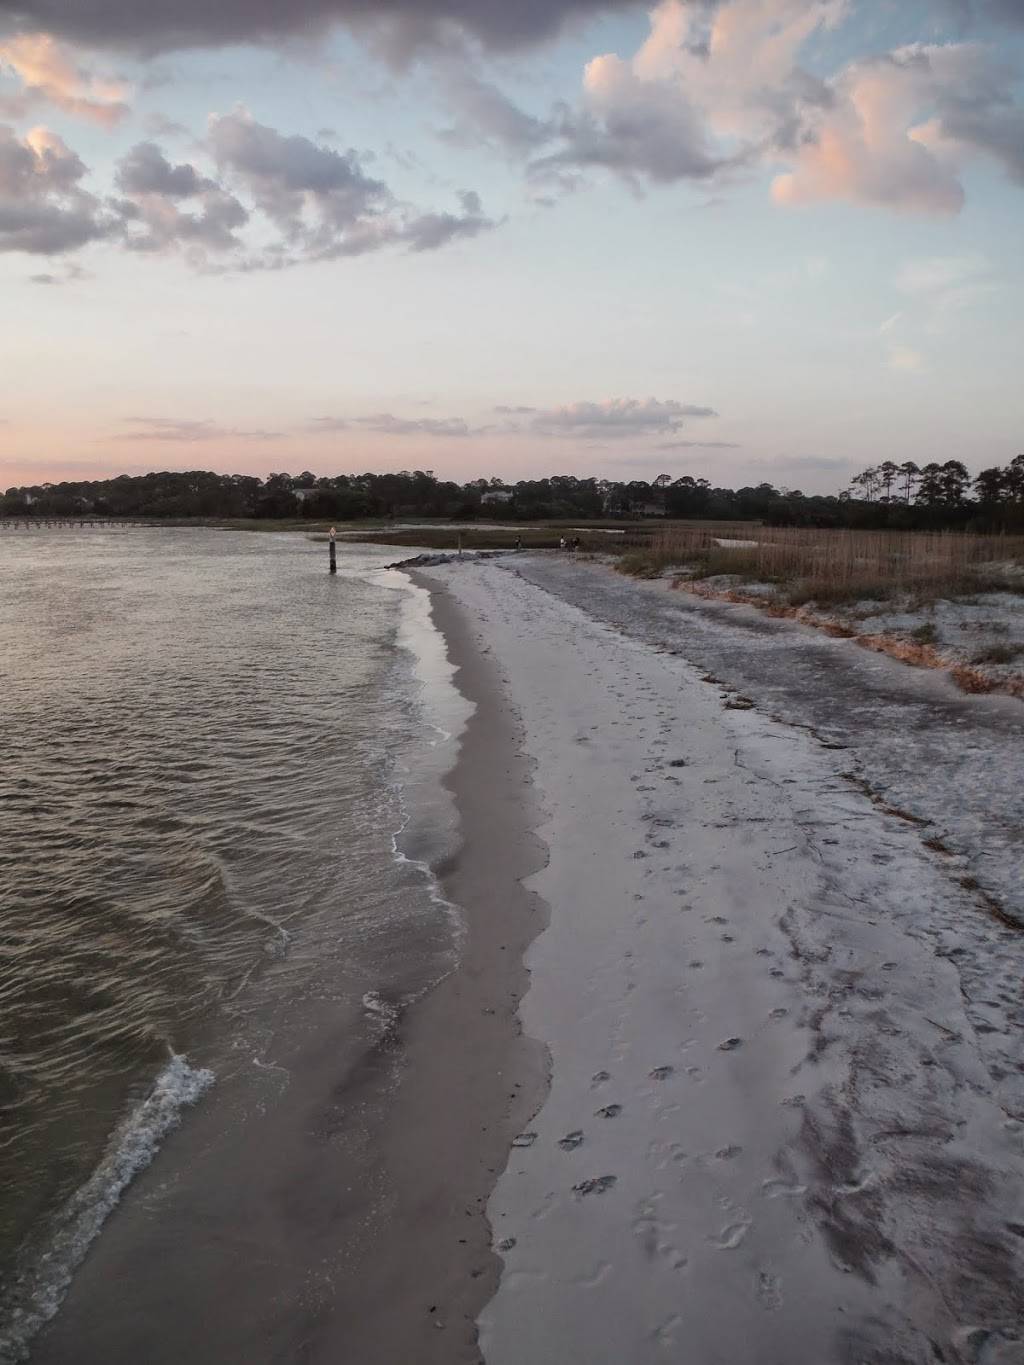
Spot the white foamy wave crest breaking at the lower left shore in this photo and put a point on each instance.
(40, 1289)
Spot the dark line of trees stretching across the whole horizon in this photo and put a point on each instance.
(887, 495)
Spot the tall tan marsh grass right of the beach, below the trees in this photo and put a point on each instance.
(846, 566)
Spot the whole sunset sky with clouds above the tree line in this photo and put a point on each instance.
(737, 240)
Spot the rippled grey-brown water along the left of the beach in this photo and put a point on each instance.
(221, 792)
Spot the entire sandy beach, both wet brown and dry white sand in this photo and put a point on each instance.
(730, 1071)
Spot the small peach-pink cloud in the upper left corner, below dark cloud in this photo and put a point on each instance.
(51, 76)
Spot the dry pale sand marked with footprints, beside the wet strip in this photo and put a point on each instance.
(763, 1046)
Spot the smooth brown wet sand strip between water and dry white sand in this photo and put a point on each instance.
(341, 1216)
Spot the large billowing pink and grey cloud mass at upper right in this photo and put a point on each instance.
(722, 89)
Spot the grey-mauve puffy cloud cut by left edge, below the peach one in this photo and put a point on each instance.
(44, 211)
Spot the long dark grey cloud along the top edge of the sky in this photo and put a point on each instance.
(405, 27)
